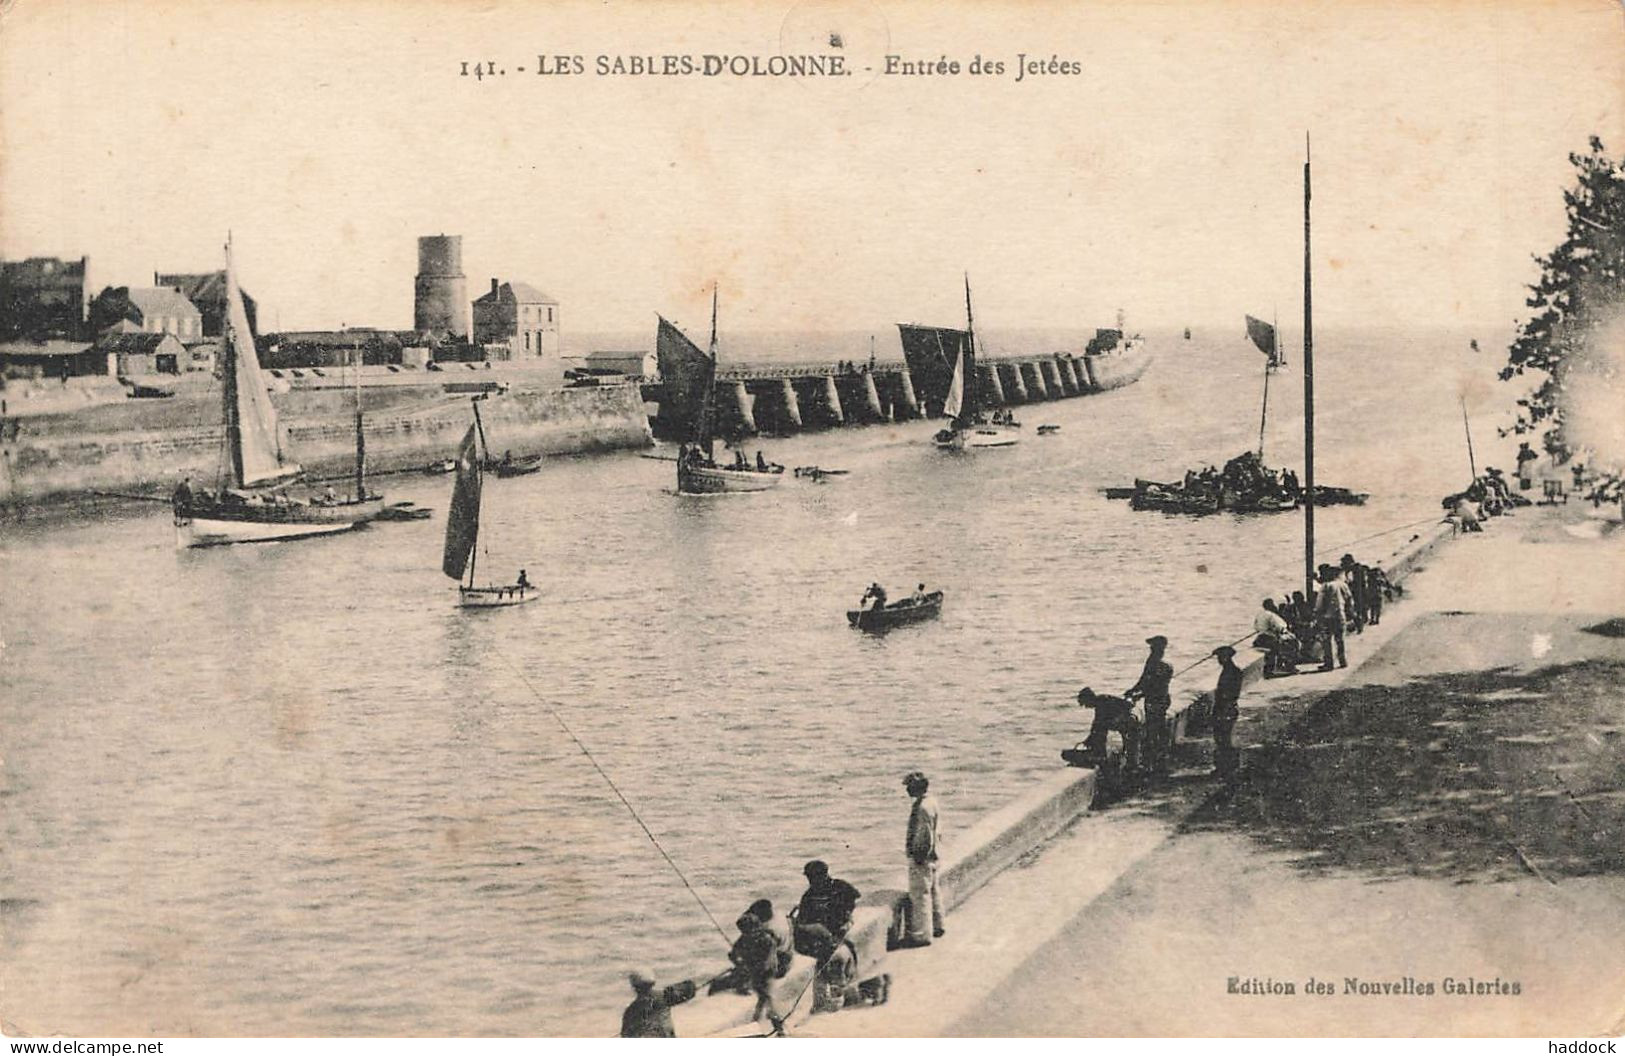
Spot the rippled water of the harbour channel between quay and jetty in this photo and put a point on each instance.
(292, 790)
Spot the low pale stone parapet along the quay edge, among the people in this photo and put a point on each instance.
(1000, 839)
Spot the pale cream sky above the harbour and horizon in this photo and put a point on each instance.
(1163, 178)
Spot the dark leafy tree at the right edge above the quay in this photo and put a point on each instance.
(1582, 287)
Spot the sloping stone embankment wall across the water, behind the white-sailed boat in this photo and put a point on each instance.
(149, 446)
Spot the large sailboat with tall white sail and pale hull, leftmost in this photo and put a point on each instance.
(251, 504)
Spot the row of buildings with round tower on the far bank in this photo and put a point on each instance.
(53, 327)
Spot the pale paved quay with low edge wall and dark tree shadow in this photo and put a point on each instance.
(1426, 833)
